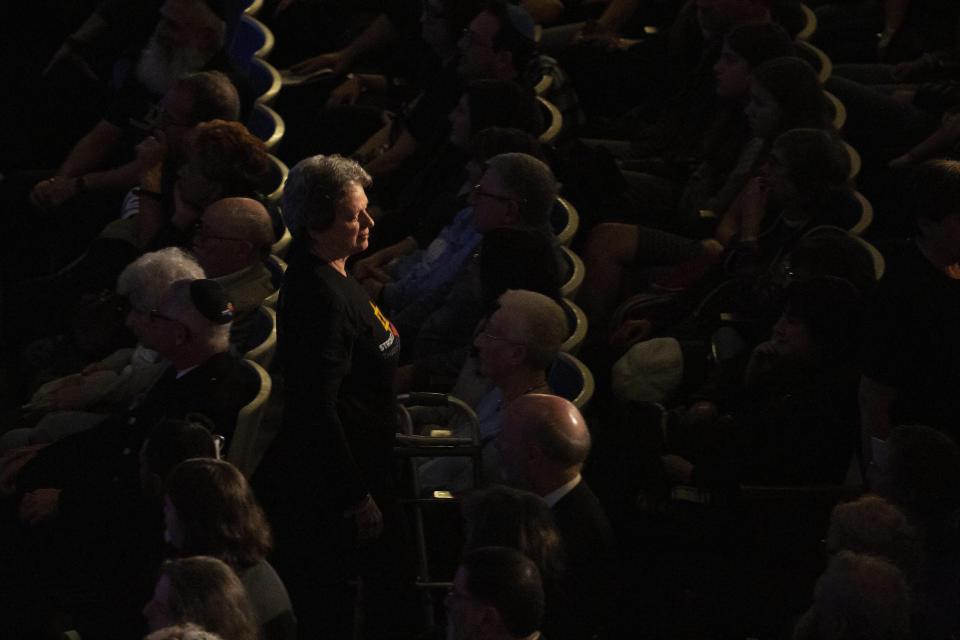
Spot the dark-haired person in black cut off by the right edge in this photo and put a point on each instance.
(911, 359)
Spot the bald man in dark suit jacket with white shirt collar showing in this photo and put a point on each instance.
(542, 447)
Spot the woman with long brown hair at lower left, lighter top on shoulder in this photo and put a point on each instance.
(209, 509)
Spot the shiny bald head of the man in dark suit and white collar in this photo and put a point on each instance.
(543, 443)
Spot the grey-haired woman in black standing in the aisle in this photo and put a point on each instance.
(329, 467)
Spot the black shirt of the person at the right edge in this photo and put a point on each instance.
(912, 339)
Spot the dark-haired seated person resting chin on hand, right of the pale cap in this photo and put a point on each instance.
(794, 424)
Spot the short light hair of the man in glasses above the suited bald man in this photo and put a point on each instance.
(540, 321)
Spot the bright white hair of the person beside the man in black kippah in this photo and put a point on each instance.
(148, 276)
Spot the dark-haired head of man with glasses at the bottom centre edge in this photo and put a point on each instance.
(497, 594)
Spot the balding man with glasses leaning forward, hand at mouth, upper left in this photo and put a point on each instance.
(88, 189)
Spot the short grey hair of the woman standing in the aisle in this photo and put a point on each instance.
(313, 189)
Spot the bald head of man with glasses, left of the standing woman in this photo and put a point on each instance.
(233, 234)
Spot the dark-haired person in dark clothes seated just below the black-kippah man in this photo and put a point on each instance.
(98, 592)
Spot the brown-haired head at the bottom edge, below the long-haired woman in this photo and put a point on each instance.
(206, 592)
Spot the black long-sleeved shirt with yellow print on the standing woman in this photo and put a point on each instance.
(339, 356)
